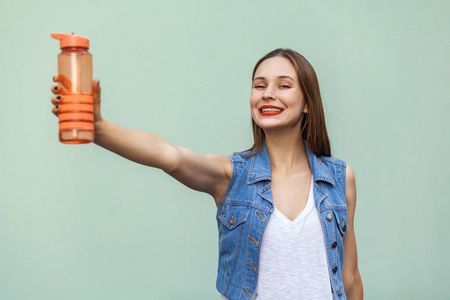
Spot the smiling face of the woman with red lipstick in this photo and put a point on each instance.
(276, 100)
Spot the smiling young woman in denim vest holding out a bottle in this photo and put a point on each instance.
(285, 207)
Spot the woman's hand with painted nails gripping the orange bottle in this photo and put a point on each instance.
(59, 90)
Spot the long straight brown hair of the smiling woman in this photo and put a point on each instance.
(313, 127)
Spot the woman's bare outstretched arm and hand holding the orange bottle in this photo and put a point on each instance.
(208, 173)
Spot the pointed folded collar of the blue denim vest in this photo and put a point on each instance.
(260, 166)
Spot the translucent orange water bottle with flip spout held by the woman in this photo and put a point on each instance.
(76, 118)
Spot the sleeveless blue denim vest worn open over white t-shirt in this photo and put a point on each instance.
(246, 207)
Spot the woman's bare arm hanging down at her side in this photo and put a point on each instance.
(350, 275)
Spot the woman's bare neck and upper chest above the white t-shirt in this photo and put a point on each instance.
(287, 153)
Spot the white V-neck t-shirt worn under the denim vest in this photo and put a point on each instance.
(293, 261)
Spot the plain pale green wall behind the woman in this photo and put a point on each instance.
(78, 222)
